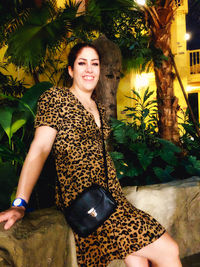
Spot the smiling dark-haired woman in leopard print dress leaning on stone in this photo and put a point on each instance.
(68, 120)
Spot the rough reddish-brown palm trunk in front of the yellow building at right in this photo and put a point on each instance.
(159, 19)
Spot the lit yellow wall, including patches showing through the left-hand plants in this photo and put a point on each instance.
(135, 80)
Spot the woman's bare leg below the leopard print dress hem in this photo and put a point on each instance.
(163, 252)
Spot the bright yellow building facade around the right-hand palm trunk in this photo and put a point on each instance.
(187, 62)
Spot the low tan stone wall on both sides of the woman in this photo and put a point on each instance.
(43, 239)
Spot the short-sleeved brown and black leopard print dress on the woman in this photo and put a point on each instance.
(79, 162)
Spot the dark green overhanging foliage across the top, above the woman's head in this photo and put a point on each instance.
(32, 32)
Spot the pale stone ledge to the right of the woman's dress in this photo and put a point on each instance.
(176, 205)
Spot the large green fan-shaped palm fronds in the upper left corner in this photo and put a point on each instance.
(34, 30)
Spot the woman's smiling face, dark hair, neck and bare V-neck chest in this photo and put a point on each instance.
(84, 69)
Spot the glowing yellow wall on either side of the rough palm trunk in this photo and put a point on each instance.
(141, 82)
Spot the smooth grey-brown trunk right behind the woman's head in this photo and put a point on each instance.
(106, 89)
